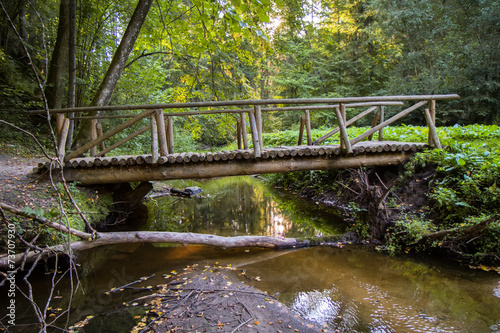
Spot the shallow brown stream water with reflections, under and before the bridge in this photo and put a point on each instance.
(349, 289)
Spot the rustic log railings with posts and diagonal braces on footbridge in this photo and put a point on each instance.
(161, 122)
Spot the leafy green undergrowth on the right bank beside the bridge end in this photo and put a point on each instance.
(464, 193)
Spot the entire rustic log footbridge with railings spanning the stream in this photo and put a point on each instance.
(252, 156)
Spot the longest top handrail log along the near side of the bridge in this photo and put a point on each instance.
(252, 102)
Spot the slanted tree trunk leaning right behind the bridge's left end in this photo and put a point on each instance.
(118, 63)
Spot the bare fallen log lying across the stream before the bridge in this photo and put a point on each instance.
(8, 262)
